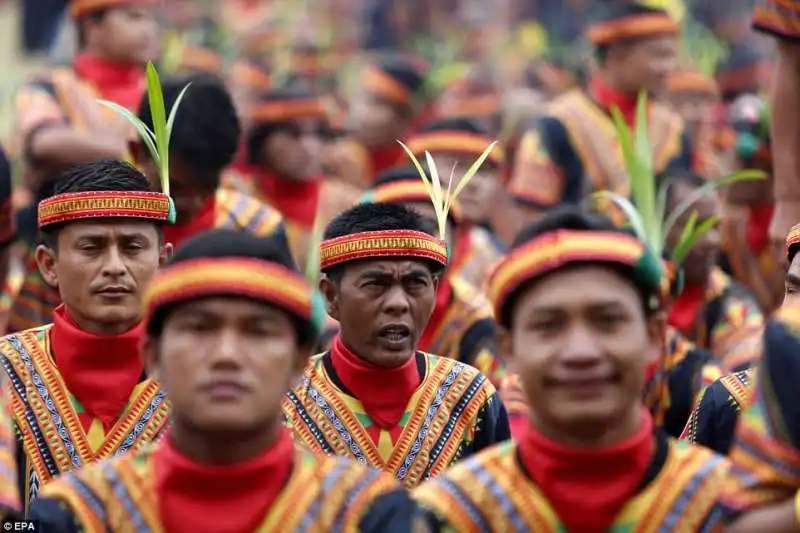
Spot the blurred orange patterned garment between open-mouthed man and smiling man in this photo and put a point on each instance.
(467, 332)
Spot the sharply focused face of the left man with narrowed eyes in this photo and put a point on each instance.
(102, 269)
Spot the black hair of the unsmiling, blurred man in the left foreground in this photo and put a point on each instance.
(223, 243)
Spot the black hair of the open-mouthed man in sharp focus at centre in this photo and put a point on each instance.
(377, 217)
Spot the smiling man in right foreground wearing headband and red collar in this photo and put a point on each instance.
(584, 337)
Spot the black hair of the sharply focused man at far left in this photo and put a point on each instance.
(110, 175)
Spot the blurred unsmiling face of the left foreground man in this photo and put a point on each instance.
(227, 363)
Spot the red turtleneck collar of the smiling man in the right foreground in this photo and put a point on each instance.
(588, 488)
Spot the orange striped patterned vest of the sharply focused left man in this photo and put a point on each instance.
(48, 420)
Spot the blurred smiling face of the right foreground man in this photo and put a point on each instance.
(581, 345)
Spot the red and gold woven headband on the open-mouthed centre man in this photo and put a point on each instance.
(382, 244)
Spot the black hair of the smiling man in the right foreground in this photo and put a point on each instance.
(570, 217)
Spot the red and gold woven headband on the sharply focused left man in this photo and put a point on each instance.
(71, 207)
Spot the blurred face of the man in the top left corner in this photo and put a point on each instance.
(127, 33)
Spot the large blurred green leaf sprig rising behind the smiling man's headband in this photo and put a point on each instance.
(646, 210)
